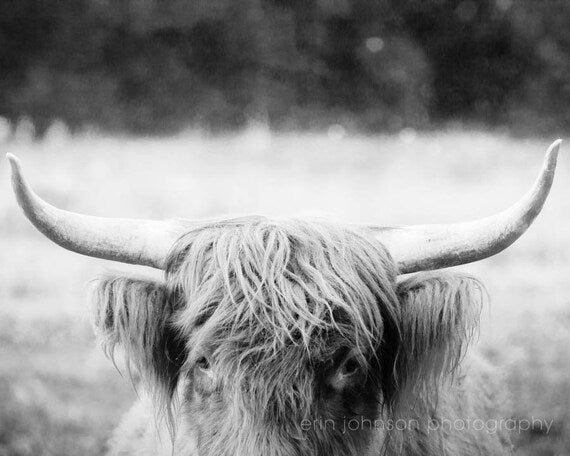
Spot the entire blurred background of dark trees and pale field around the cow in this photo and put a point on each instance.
(360, 111)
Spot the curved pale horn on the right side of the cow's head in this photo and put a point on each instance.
(425, 247)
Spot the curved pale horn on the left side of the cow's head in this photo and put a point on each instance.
(143, 242)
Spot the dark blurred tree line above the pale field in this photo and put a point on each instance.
(158, 66)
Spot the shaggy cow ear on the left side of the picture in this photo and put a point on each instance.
(135, 315)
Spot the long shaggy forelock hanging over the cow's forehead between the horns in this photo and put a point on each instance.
(260, 287)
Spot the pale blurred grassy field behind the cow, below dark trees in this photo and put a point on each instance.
(60, 396)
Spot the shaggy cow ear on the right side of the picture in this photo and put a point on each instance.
(439, 317)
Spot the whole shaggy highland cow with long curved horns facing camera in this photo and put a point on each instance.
(297, 337)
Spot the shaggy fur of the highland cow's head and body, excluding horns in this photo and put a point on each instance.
(261, 326)
